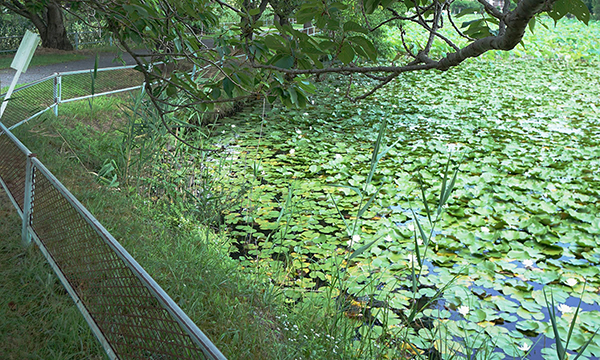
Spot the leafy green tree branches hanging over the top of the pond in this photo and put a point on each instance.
(251, 59)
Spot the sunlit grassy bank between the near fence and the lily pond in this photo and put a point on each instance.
(241, 313)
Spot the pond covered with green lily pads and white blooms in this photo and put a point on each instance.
(522, 216)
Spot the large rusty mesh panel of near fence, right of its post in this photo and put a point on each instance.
(130, 317)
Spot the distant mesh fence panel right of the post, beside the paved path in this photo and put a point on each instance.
(79, 84)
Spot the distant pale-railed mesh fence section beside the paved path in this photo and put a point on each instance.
(34, 99)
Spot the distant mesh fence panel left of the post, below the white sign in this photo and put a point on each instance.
(29, 100)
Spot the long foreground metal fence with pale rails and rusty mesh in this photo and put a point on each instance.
(130, 314)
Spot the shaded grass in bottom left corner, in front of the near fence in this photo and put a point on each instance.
(38, 319)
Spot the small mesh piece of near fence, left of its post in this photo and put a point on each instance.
(12, 168)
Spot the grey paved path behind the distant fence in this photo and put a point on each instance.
(39, 72)
